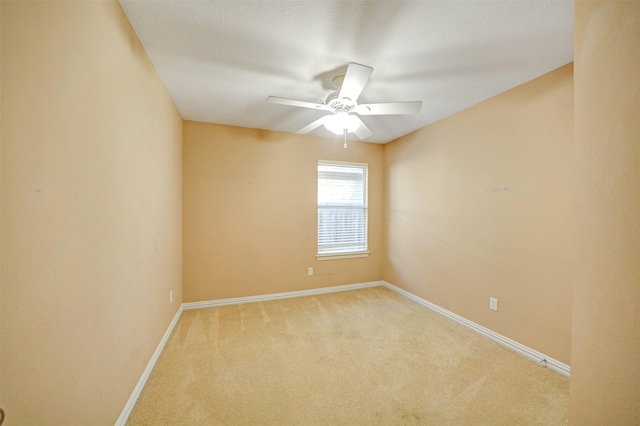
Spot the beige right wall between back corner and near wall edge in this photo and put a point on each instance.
(478, 206)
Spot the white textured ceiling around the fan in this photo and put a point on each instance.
(221, 59)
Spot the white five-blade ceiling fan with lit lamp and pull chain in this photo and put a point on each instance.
(343, 105)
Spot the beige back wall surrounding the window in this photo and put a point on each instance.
(249, 209)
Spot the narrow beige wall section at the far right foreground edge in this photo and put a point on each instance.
(605, 377)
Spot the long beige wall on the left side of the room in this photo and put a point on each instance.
(91, 210)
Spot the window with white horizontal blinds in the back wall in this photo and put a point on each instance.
(342, 210)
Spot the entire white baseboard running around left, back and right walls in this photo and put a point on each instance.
(534, 355)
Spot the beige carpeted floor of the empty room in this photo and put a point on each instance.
(362, 357)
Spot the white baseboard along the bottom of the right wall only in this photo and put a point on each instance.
(526, 351)
